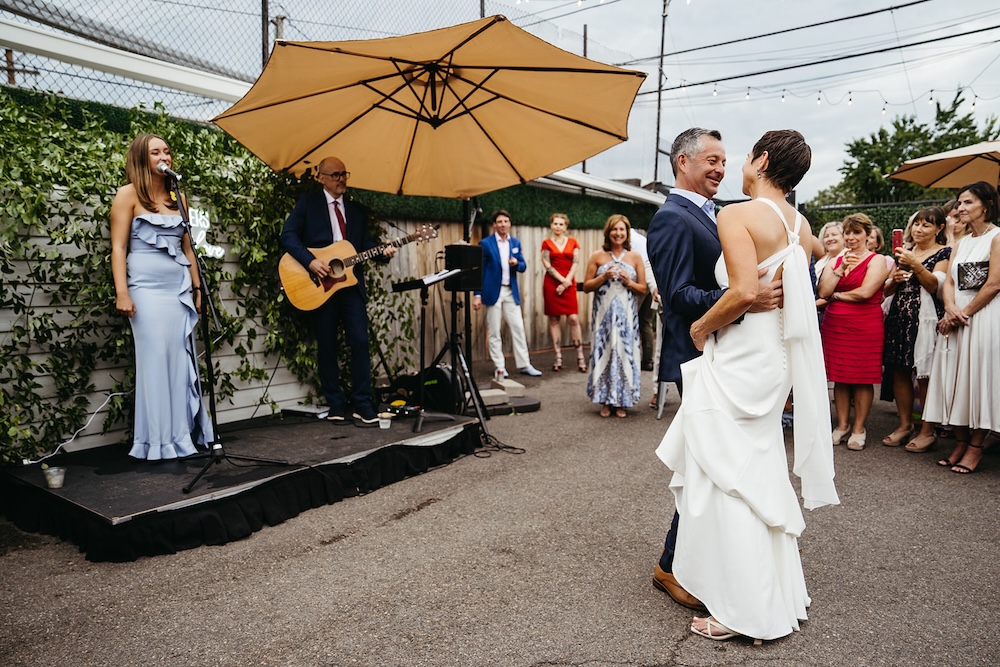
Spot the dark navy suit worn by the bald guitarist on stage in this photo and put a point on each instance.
(309, 226)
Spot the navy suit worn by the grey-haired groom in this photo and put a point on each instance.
(683, 246)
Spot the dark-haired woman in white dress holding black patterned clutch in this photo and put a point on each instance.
(964, 378)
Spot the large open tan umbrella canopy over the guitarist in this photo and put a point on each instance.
(454, 112)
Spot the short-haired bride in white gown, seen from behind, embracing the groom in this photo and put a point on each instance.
(737, 548)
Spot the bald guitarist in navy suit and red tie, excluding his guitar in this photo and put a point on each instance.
(319, 219)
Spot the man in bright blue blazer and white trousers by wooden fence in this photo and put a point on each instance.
(503, 259)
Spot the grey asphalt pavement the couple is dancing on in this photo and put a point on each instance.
(540, 558)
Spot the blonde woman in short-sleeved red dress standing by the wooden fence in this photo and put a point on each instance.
(561, 257)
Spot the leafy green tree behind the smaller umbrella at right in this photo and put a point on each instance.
(873, 158)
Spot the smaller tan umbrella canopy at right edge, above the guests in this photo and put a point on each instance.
(955, 168)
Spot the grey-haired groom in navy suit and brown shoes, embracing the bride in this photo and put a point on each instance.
(683, 245)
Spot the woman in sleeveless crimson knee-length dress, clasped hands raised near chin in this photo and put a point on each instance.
(853, 329)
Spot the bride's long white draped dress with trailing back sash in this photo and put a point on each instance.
(737, 546)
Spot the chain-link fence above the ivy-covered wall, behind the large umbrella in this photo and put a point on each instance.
(231, 38)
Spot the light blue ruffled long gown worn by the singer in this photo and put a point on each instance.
(169, 413)
